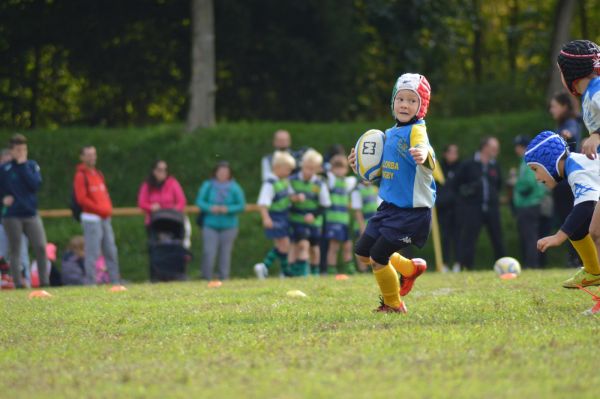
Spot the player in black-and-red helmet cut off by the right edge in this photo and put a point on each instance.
(579, 64)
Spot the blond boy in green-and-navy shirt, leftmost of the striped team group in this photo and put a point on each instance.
(274, 203)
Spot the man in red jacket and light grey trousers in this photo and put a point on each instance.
(92, 196)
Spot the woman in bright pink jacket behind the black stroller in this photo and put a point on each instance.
(160, 191)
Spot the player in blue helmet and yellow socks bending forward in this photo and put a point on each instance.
(548, 156)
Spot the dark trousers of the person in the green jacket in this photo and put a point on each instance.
(528, 224)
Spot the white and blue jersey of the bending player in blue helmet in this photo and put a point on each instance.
(583, 175)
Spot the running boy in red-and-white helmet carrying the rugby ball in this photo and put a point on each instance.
(408, 192)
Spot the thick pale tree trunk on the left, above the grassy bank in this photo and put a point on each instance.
(202, 84)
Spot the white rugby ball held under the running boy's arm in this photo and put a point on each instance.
(369, 152)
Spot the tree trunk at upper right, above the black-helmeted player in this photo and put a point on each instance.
(560, 35)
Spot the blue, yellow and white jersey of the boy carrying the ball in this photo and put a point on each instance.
(404, 183)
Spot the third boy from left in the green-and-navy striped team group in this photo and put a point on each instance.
(337, 217)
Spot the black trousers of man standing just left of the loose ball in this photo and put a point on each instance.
(473, 218)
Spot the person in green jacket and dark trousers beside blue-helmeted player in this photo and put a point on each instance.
(527, 196)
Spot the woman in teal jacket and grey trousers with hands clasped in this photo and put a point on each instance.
(220, 200)
